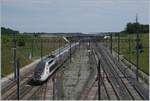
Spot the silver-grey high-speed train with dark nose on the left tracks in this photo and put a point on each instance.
(47, 66)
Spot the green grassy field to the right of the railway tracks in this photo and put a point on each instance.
(131, 55)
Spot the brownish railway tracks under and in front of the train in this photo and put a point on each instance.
(26, 91)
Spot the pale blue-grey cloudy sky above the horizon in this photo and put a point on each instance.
(72, 15)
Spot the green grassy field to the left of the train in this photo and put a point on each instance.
(31, 45)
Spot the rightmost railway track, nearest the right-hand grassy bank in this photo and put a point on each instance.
(131, 79)
